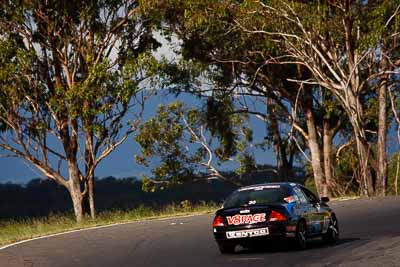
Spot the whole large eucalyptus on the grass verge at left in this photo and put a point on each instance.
(71, 73)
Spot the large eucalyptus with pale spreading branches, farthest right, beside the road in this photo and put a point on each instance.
(350, 47)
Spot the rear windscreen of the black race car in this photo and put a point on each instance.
(260, 195)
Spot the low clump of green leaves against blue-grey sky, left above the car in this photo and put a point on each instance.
(164, 136)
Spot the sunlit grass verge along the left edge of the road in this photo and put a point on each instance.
(16, 230)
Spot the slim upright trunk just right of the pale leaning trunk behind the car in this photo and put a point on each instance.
(327, 153)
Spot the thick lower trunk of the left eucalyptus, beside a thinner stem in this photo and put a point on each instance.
(75, 191)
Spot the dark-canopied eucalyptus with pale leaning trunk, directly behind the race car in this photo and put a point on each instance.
(247, 64)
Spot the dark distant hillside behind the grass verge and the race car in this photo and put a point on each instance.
(42, 197)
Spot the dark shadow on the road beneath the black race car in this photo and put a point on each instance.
(285, 246)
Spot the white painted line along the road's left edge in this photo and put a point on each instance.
(95, 227)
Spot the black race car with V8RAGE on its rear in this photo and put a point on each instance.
(264, 212)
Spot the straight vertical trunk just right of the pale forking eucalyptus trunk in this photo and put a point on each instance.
(381, 178)
